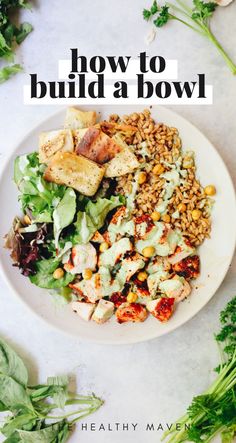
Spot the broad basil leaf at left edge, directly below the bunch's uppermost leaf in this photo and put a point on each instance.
(13, 394)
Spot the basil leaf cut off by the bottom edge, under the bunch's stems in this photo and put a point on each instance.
(56, 433)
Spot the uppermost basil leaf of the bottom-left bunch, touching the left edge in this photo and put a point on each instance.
(12, 365)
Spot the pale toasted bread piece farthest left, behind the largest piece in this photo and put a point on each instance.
(52, 142)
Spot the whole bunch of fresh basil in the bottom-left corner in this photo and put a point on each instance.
(33, 417)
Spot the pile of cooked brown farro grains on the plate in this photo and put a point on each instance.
(155, 143)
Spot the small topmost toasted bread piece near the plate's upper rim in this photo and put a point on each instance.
(76, 119)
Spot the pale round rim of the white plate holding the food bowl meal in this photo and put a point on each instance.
(129, 340)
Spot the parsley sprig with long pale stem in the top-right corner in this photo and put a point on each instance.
(196, 18)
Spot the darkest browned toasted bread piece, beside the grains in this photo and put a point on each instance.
(97, 146)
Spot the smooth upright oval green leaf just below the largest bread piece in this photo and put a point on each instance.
(64, 213)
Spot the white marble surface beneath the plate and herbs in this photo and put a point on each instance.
(153, 381)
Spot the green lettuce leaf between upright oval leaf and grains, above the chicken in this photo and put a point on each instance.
(93, 218)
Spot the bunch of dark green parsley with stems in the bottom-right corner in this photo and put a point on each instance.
(214, 412)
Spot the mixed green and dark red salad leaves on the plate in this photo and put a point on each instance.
(61, 218)
